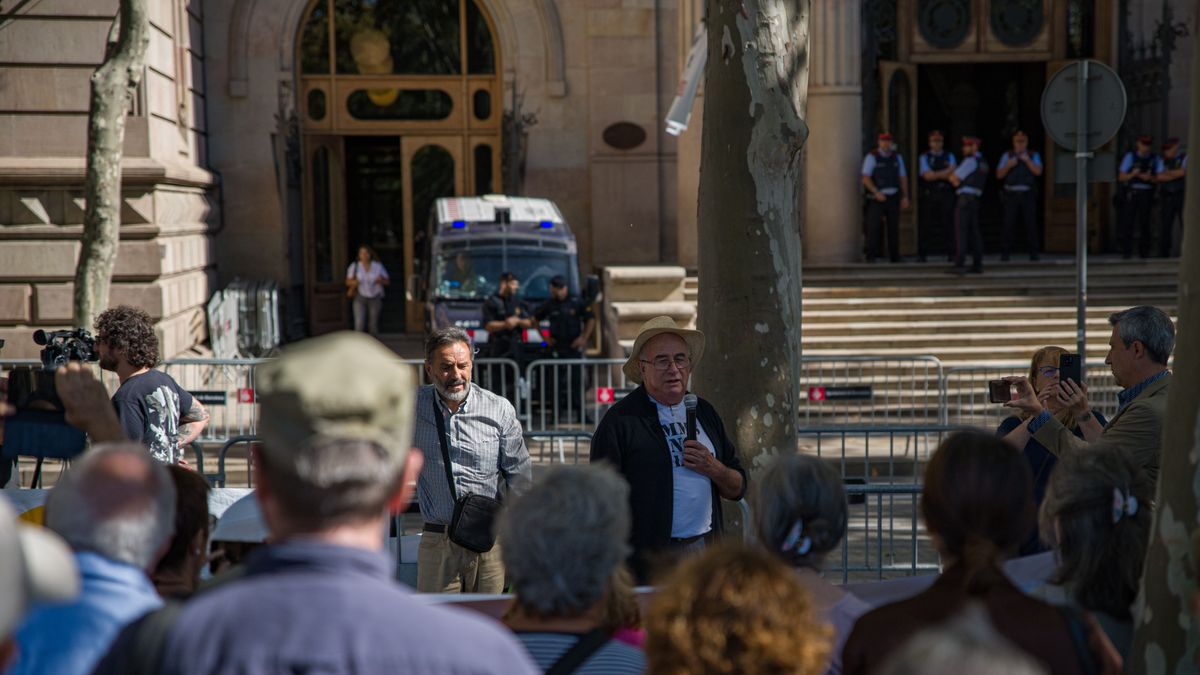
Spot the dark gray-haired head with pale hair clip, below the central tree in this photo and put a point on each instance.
(800, 510)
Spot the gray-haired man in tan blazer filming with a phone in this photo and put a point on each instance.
(1139, 350)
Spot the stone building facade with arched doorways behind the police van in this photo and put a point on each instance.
(272, 138)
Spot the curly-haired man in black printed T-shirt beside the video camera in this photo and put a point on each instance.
(152, 407)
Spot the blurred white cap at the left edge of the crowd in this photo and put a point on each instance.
(37, 566)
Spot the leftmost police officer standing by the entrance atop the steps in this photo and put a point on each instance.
(887, 192)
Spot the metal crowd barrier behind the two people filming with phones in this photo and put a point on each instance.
(968, 398)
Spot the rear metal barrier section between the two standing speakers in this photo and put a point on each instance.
(573, 393)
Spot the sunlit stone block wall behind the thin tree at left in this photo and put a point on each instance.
(164, 265)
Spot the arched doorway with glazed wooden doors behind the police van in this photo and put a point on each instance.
(400, 105)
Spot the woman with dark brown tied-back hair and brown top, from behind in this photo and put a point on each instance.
(979, 507)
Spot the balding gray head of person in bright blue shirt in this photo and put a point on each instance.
(116, 501)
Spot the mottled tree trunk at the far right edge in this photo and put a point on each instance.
(1167, 638)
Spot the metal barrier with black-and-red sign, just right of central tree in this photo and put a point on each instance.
(872, 391)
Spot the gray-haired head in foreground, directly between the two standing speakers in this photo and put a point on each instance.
(565, 539)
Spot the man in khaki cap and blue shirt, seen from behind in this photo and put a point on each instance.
(335, 461)
